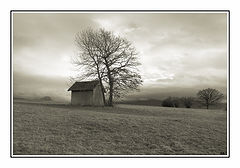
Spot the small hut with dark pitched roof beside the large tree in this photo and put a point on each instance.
(86, 93)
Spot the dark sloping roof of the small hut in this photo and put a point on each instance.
(84, 86)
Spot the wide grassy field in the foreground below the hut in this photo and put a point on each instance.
(121, 130)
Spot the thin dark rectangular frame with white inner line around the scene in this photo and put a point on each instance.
(116, 156)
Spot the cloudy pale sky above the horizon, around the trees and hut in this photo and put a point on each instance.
(180, 53)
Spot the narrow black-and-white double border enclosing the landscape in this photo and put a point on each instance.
(117, 12)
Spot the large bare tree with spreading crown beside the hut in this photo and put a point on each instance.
(111, 59)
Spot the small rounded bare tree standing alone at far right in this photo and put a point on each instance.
(209, 96)
